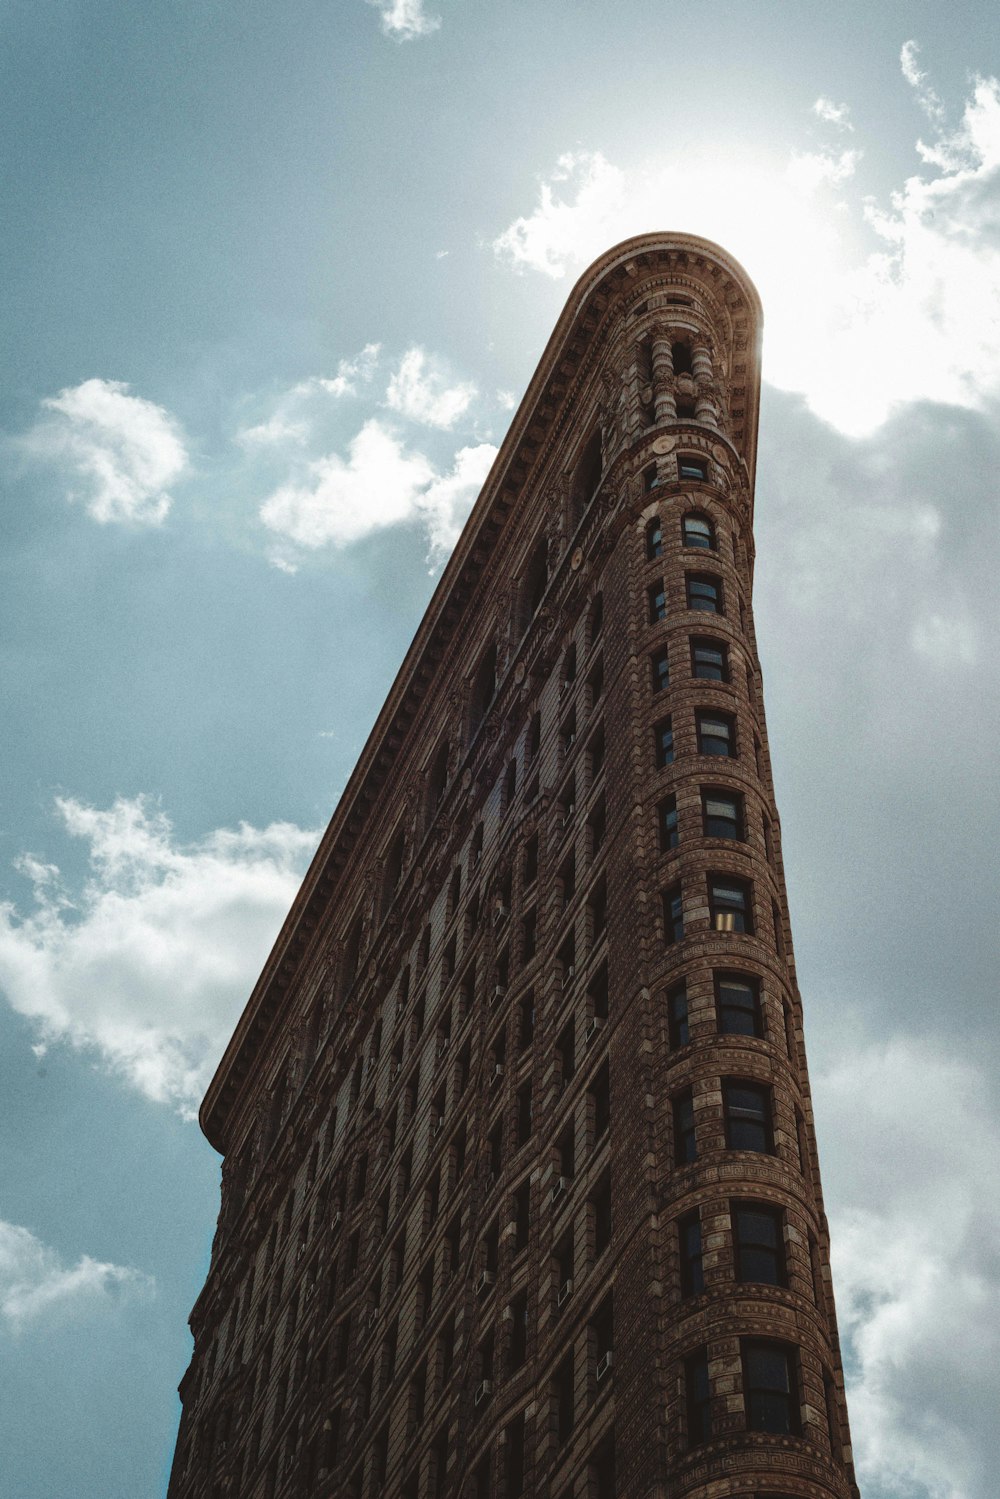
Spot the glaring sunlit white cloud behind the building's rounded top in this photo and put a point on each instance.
(918, 319)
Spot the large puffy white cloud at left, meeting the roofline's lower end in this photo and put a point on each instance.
(152, 962)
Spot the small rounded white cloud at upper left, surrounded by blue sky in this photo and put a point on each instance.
(121, 452)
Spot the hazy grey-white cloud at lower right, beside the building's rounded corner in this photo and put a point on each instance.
(920, 1135)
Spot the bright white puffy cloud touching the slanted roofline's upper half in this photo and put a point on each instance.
(340, 501)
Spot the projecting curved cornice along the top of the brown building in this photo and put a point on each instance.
(651, 287)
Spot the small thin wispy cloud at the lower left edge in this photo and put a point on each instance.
(35, 1284)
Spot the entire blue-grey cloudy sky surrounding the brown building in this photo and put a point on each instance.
(274, 281)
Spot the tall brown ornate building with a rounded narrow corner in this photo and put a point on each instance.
(519, 1188)
